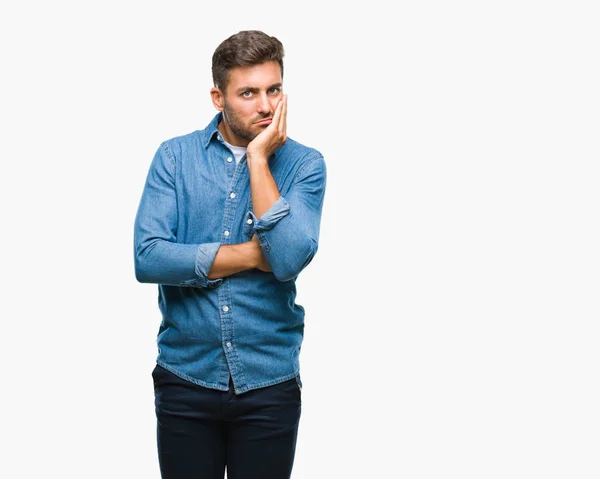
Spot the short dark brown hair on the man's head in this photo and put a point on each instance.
(249, 47)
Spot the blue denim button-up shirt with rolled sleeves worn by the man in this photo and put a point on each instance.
(196, 199)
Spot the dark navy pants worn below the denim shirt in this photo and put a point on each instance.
(200, 431)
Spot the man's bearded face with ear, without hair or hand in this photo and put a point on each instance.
(249, 101)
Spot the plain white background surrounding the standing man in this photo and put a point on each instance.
(452, 312)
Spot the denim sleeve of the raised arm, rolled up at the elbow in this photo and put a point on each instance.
(288, 232)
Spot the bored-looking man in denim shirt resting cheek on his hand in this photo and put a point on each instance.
(228, 218)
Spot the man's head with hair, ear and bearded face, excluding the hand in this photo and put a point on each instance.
(247, 73)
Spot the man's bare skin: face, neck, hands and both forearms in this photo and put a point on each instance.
(254, 115)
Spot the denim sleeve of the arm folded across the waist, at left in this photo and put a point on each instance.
(158, 257)
